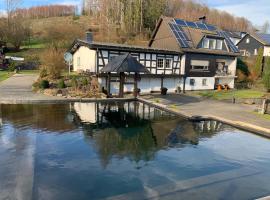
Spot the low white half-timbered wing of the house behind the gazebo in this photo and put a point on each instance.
(164, 65)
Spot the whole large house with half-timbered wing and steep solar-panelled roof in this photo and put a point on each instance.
(181, 54)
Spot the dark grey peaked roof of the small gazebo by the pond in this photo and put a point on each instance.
(124, 63)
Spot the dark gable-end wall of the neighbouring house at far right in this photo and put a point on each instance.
(249, 48)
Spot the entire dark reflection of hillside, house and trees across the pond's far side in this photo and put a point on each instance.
(119, 130)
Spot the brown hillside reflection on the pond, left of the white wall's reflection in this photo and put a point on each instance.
(46, 117)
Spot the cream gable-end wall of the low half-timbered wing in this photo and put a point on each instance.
(84, 59)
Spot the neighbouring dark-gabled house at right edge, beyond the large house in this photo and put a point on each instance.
(250, 44)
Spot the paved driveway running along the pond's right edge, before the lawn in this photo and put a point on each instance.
(237, 114)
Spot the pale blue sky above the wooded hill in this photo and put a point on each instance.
(257, 11)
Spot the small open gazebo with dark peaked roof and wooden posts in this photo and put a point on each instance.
(120, 65)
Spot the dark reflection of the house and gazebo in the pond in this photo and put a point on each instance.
(137, 131)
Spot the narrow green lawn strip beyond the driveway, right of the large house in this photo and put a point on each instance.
(239, 94)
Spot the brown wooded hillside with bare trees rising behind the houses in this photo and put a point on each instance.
(119, 21)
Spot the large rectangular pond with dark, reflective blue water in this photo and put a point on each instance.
(126, 151)
